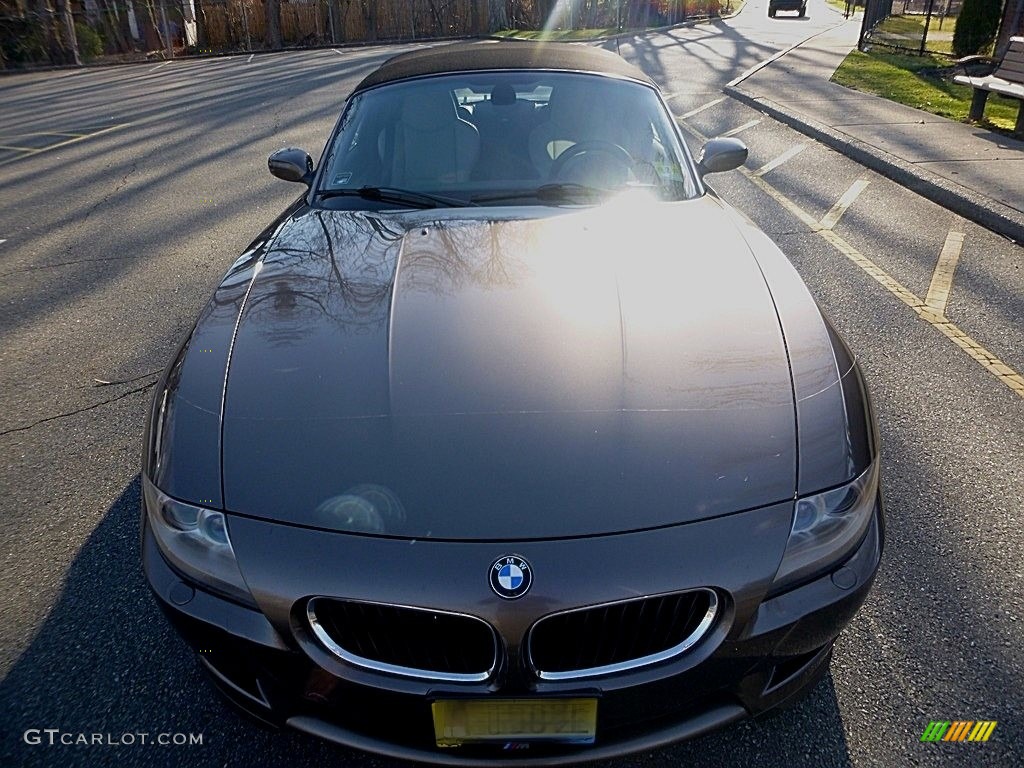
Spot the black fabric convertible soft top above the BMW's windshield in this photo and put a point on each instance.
(493, 55)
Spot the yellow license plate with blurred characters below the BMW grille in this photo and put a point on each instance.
(467, 720)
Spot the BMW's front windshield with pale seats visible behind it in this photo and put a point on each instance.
(504, 138)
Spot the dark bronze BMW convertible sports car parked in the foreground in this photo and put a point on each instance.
(509, 441)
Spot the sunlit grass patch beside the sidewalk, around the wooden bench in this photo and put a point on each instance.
(903, 79)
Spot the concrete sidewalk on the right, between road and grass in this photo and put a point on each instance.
(974, 173)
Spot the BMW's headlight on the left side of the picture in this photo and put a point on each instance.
(195, 541)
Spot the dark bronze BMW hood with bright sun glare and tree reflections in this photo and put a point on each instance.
(488, 377)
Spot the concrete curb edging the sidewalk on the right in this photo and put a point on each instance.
(971, 205)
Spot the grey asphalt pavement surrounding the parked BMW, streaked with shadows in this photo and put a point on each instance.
(135, 188)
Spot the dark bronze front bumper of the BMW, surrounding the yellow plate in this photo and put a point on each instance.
(762, 654)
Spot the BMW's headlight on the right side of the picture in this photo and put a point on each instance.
(827, 528)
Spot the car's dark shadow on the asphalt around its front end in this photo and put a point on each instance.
(106, 661)
